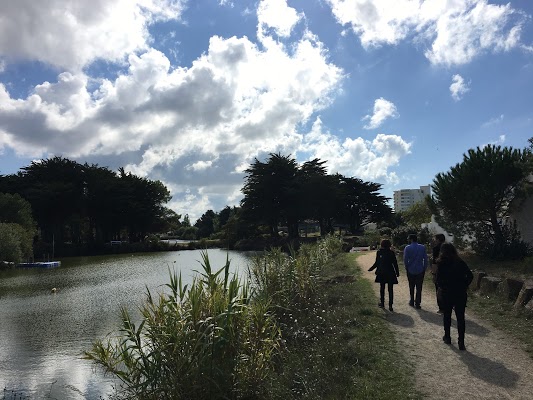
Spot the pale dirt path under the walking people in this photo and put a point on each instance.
(493, 366)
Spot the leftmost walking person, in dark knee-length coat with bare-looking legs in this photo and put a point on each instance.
(387, 272)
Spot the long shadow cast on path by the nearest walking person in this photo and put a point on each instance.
(490, 371)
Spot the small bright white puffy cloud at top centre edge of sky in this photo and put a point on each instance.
(278, 16)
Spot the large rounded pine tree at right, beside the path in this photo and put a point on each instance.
(475, 197)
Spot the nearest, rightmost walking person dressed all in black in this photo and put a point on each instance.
(453, 279)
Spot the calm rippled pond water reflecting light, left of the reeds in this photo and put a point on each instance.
(42, 335)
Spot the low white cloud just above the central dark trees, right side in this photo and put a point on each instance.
(365, 159)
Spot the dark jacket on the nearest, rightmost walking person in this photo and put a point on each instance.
(453, 277)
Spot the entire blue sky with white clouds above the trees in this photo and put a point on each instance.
(191, 92)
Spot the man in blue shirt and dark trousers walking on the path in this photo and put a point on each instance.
(415, 260)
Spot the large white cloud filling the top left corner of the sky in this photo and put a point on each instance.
(71, 35)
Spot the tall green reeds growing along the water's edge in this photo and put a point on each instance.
(218, 338)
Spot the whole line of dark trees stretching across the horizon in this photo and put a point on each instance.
(89, 205)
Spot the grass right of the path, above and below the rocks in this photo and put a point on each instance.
(498, 310)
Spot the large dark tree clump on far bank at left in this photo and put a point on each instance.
(89, 204)
